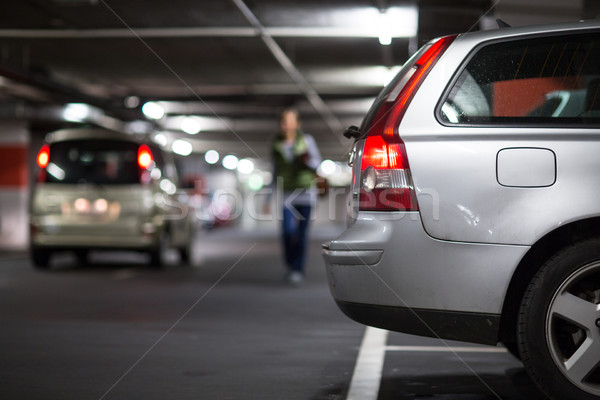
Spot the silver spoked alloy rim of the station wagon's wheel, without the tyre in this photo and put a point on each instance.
(572, 331)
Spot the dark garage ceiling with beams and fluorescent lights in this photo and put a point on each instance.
(234, 64)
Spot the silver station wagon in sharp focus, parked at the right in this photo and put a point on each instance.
(475, 203)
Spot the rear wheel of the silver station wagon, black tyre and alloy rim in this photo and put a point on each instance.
(559, 324)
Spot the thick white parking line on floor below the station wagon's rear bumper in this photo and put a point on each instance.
(369, 365)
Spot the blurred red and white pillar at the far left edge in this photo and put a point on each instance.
(14, 192)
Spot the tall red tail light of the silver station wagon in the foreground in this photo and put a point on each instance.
(386, 183)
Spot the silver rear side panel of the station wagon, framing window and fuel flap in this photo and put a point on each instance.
(454, 168)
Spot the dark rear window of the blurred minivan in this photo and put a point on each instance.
(93, 161)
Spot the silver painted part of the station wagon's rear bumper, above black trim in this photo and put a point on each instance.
(416, 270)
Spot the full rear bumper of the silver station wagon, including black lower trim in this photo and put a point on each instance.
(386, 271)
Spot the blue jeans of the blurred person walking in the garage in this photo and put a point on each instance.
(295, 225)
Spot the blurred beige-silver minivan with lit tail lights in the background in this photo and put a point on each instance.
(98, 189)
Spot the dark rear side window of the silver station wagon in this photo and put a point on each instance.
(540, 80)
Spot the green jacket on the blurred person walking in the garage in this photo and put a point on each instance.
(295, 173)
